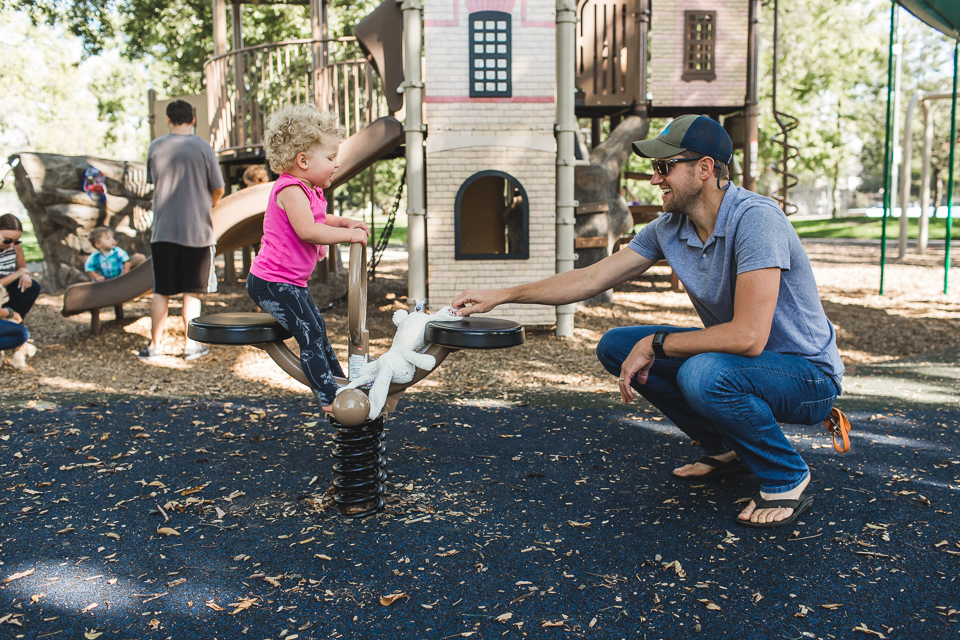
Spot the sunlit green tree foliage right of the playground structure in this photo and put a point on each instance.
(832, 77)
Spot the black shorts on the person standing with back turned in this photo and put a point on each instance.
(179, 269)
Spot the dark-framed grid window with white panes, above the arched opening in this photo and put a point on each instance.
(490, 55)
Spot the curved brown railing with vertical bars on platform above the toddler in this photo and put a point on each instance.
(246, 85)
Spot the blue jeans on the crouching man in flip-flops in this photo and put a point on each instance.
(728, 402)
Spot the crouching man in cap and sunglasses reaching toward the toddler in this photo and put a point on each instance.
(766, 352)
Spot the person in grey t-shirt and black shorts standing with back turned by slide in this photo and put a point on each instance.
(187, 184)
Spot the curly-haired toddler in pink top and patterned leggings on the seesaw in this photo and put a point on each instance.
(301, 145)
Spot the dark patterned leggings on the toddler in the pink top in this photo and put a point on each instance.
(295, 310)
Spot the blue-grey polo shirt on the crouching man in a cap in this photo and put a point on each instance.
(751, 233)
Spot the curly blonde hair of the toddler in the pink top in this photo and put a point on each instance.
(293, 130)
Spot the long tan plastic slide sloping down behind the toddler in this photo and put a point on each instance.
(237, 222)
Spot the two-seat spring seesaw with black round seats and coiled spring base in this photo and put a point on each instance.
(358, 443)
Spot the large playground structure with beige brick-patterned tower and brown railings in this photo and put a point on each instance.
(490, 130)
